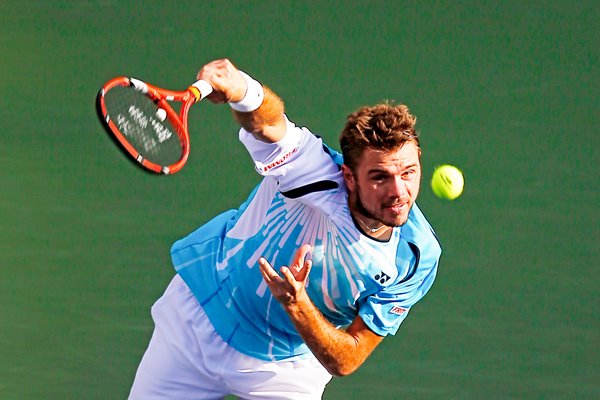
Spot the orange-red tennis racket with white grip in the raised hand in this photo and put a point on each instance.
(140, 119)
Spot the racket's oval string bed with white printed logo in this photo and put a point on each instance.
(141, 123)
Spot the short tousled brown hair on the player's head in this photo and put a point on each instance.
(382, 127)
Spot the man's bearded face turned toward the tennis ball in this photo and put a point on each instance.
(385, 185)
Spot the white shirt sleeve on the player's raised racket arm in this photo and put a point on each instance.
(295, 161)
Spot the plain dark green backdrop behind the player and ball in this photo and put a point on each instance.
(506, 90)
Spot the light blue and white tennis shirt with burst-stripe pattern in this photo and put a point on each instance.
(302, 199)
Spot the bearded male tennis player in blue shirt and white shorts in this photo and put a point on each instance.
(324, 259)
